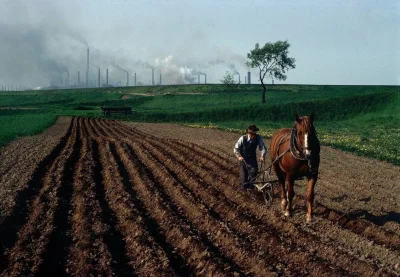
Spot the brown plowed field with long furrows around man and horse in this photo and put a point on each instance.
(102, 198)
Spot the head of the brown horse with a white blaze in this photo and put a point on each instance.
(306, 134)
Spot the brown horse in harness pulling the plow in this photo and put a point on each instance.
(295, 154)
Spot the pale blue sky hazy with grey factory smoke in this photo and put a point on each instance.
(348, 42)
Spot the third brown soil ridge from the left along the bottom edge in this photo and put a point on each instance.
(146, 257)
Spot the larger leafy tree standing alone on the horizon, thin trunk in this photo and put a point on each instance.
(271, 59)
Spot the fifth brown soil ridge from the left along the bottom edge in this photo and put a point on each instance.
(232, 244)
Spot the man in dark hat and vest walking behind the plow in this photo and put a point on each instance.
(245, 151)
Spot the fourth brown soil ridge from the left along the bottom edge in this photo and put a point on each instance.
(197, 248)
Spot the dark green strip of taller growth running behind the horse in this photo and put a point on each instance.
(324, 109)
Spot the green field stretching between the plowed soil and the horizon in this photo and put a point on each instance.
(360, 119)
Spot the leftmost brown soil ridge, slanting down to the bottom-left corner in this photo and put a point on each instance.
(26, 255)
